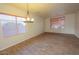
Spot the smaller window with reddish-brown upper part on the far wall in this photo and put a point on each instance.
(57, 22)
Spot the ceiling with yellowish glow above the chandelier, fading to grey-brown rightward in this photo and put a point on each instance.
(48, 9)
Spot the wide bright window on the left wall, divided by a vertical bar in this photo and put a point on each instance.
(12, 25)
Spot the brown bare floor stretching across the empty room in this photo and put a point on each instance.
(46, 44)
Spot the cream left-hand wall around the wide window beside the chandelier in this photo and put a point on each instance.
(33, 29)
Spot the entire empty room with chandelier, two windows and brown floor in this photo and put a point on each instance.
(39, 28)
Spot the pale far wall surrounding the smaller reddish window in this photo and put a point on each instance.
(69, 26)
